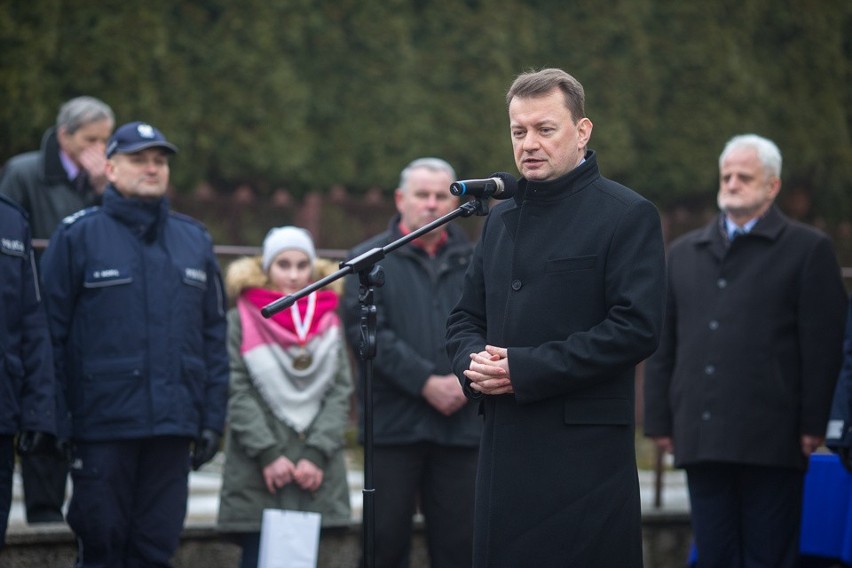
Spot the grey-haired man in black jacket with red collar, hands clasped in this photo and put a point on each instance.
(425, 434)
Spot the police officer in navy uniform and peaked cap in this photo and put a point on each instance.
(137, 316)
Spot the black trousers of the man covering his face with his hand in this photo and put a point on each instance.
(44, 479)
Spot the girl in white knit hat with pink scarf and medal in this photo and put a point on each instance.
(289, 393)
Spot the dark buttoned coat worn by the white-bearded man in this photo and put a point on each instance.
(751, 346)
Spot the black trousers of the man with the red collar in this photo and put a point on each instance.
(442, 480)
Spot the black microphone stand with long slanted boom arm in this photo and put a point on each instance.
(371, 276)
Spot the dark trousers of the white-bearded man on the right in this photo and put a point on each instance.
(745, 516)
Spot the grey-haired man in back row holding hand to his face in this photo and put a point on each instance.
(65, 175)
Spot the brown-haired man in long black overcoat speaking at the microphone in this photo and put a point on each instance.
(563, 298)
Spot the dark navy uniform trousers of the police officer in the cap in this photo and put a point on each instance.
(129, 501)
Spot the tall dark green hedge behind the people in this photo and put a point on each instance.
(304, 94)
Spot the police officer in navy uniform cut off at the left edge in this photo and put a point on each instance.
(26, 371)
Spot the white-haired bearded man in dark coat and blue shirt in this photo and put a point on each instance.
(741, 386)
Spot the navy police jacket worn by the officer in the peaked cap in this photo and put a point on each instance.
(137, 316)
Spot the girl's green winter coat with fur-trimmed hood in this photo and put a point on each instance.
(256, 437)
